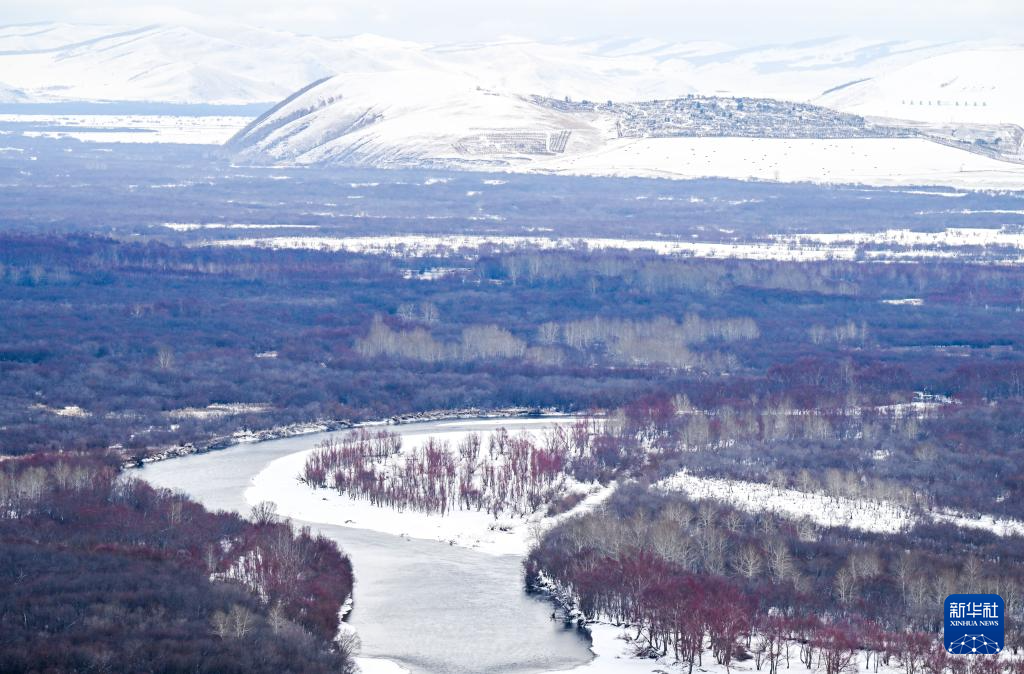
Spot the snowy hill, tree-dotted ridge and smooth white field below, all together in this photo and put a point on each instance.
(401, 119)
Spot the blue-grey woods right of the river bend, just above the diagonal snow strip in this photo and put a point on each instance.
(924, 455)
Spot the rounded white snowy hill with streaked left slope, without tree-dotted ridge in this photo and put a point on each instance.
(404, 119)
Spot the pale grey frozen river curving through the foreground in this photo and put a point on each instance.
(425, 606)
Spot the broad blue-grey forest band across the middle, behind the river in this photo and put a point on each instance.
(111, 343)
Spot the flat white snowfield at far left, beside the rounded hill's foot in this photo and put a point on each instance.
(132, 129)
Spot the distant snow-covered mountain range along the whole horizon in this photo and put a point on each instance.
(207, 63)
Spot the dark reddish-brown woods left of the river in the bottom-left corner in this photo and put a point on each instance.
(104, 573)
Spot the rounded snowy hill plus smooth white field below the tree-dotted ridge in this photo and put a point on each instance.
(407, 118)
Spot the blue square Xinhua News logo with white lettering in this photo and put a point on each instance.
(974, 624)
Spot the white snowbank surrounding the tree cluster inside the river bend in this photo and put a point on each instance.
(279, 482)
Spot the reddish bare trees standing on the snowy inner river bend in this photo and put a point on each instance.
(514, 475)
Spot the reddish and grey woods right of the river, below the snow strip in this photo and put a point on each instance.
(699, 577)
